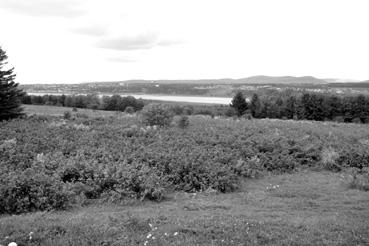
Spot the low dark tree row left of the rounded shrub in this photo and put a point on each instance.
(110, 103)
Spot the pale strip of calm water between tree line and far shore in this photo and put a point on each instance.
(191, 99)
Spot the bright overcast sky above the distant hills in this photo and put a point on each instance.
(68, 41)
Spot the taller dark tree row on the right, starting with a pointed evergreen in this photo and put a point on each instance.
(305, 106)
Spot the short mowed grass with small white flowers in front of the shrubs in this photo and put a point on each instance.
(305, 208)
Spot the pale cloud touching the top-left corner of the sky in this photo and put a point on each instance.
(44, 8)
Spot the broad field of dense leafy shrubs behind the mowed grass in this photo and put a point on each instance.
(50, 162)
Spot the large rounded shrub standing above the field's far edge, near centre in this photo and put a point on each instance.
(157, 114)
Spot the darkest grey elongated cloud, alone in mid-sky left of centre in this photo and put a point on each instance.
(138, 42)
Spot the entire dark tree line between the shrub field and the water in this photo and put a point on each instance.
(284, 105)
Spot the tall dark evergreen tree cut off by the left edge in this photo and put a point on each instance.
(10, 95)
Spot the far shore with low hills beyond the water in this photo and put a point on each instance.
(203, 87)
